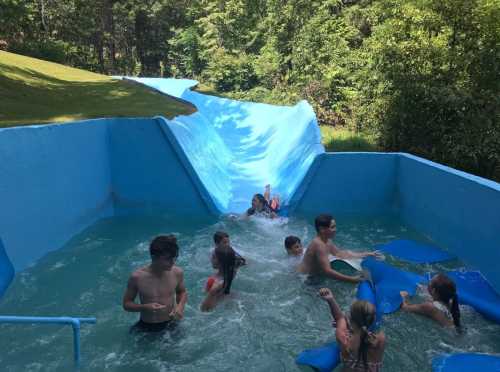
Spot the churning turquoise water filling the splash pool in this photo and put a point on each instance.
(271, 316)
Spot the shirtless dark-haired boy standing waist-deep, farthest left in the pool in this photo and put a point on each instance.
(160, 286)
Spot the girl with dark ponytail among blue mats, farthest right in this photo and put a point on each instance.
(444, 305)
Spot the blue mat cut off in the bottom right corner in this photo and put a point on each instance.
(466, 362)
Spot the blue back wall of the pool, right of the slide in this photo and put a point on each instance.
(349, 184)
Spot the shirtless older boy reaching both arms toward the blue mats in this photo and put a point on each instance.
(316, 262)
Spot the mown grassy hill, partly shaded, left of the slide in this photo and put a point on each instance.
(33, 91)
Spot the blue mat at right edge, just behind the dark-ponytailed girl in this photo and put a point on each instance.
(475, 291)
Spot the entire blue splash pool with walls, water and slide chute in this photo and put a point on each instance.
(102, 188)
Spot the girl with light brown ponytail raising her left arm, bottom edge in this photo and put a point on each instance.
(360, 349)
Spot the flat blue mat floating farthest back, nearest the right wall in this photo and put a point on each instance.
(412, 251)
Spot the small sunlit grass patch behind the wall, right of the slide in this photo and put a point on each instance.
(339, 140)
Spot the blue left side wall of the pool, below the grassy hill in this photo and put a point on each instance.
(54, 182)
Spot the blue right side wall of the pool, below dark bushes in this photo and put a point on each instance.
(459, 211)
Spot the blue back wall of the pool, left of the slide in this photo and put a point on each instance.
(148, 175)
